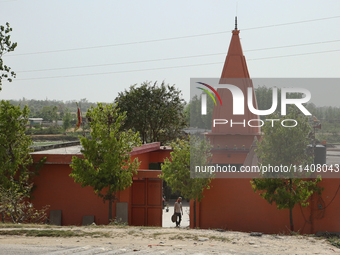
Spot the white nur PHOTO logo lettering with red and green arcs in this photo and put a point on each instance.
(242, 100)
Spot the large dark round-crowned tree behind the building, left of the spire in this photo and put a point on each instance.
(156, 112)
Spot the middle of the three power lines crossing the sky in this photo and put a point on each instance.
(165, 59)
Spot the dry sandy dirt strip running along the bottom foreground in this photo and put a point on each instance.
(141, 240)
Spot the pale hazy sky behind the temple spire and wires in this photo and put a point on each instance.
(40, 26)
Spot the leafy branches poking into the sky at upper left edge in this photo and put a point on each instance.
(6, 46)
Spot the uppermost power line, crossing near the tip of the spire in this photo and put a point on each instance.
(167, 39)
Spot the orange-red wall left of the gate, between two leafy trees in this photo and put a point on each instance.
(54, 187)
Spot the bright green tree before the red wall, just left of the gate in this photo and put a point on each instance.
(107, 165)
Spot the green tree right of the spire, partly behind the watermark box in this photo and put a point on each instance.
(285, 146)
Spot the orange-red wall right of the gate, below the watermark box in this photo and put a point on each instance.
(231, 204)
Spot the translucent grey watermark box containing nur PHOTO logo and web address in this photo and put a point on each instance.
(247, 109)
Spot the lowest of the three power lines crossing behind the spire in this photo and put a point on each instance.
(171, 67)
